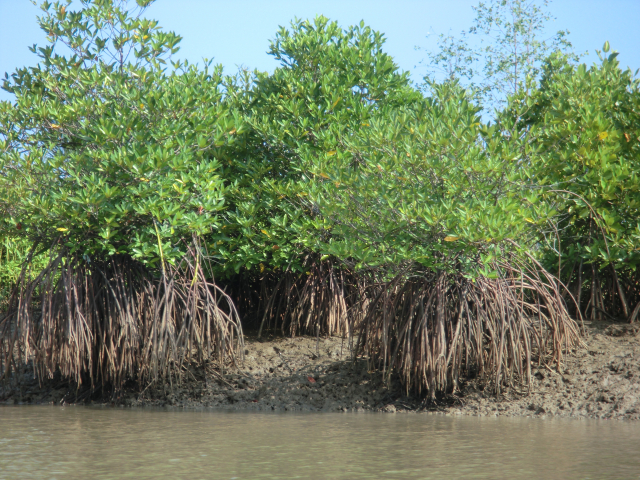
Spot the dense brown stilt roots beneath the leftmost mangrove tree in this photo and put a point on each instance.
(112, 320)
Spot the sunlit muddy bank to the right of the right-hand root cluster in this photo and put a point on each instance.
(599, 380)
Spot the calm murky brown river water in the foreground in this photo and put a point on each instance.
(101, 443)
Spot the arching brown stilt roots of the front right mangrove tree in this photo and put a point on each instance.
(431, 328)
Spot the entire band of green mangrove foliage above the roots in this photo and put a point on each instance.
(333, 154)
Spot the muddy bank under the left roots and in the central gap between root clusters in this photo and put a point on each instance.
(290, 374)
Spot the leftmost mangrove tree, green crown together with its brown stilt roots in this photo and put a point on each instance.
(113, 165)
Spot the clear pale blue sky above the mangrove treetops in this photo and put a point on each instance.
(237, 32)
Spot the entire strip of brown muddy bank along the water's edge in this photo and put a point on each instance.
(599, 380)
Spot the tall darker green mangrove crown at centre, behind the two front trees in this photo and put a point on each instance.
(331, 82)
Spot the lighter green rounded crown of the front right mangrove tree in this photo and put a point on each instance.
(427, 184)
